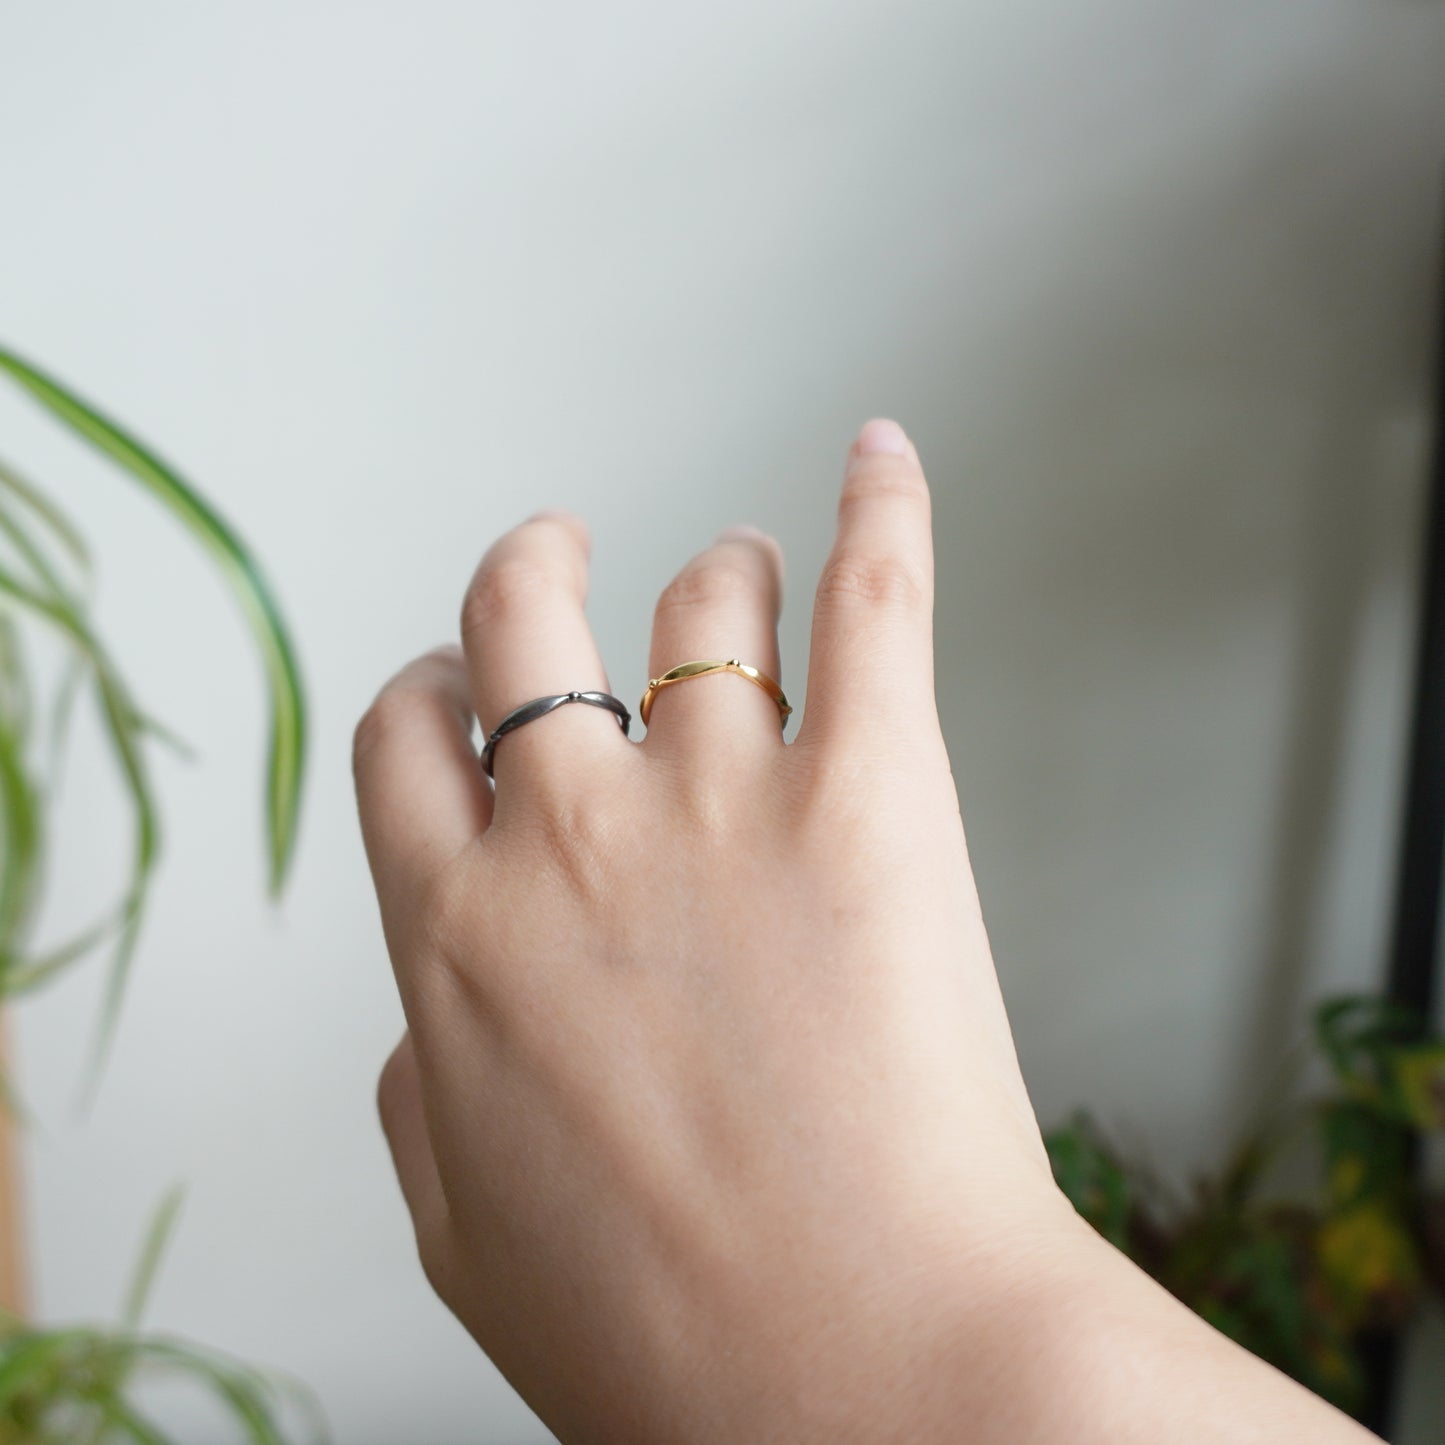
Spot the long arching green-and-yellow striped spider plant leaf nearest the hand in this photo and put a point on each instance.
(288, 712)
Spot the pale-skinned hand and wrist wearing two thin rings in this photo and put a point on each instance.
(707, 1113)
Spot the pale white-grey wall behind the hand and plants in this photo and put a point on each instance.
(1151, 284)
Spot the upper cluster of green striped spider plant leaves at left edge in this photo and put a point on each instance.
(44, 570)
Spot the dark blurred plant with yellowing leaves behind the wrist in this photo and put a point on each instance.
(1300, 1282)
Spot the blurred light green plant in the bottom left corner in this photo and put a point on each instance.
(80, 1386)
